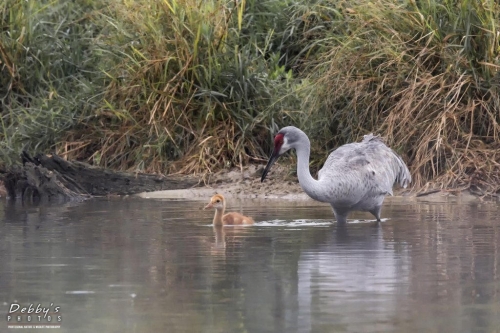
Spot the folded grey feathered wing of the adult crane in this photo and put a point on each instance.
(370, 161)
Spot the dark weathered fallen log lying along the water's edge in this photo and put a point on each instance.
(53, 178)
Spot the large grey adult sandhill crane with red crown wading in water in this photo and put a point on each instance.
(356, 176)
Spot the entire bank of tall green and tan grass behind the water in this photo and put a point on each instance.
(196, 86)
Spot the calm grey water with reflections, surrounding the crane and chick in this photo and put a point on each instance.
(143, 265)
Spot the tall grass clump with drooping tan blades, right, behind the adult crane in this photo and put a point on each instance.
(424, 74)
